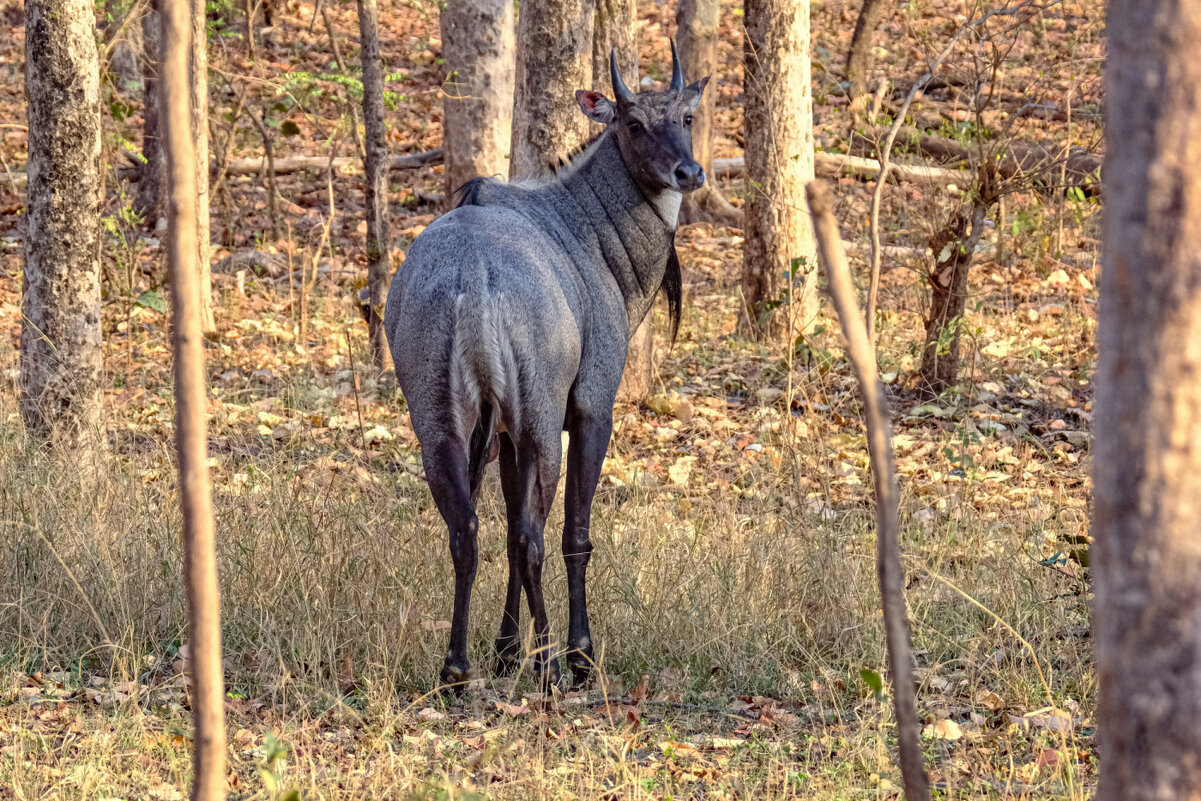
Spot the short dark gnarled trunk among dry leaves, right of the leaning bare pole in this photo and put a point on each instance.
(954, 248)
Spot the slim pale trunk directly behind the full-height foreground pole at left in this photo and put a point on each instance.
(199, 89)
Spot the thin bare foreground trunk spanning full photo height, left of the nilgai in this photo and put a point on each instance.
(200, 557)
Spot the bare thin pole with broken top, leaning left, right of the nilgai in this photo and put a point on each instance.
(880, 445)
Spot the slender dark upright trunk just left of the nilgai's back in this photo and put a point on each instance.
(377, 169)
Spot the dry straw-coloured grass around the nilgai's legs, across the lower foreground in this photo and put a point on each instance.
(754, 578)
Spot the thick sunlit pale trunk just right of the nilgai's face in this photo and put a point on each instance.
(779, 123)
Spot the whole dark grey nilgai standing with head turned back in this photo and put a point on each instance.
(510, 322)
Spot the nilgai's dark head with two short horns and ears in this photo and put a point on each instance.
(654, 129)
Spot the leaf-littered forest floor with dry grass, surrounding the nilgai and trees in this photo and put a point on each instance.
(733, 590)
